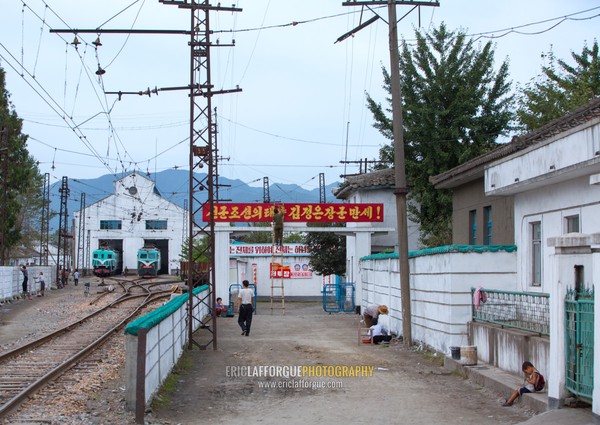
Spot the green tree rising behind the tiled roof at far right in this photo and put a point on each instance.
(560, 88)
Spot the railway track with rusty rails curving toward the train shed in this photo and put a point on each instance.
(41, 363)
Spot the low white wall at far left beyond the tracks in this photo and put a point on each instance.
(11, 280)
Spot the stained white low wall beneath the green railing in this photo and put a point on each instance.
(507, 349)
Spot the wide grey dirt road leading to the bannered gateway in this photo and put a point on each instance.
(406, 386)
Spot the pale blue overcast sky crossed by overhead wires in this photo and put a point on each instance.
(302, 109)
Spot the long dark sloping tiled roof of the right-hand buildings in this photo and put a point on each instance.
(476, 165)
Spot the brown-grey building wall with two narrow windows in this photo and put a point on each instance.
(471, 196)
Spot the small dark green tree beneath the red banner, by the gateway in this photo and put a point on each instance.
(327, 252)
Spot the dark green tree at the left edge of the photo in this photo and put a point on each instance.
(20, 180)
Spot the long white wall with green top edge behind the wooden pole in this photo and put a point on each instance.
(440, 291)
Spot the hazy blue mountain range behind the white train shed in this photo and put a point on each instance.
(174, 184)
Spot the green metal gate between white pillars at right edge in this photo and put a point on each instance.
(579, 325)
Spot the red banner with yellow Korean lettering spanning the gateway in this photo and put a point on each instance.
(296, 213)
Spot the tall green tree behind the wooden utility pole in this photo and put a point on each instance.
(455, 105)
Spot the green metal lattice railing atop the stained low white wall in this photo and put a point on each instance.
(528, 311)
